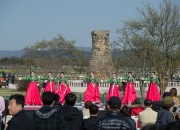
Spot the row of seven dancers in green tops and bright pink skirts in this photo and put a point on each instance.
(92, 92)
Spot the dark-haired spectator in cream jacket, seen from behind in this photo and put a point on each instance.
(148, 116)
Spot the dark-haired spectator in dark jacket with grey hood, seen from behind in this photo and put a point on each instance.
(48, 117)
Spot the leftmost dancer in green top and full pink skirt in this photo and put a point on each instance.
(32, 94)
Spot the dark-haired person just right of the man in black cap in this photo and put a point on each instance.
(126, 112)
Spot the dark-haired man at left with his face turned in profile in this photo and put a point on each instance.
(20, 120)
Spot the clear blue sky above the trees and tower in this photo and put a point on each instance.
(25, 22)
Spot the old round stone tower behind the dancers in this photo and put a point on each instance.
(101, 61)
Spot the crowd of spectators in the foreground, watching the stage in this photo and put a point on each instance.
(55, 116)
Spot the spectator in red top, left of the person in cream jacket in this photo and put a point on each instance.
(136, 107)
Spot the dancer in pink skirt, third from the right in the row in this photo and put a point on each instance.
(114, 87)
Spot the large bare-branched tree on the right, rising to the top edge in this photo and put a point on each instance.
(153, 39)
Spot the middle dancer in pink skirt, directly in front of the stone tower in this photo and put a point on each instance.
(92, 92)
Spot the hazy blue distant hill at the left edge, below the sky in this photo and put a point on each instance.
(13, 53)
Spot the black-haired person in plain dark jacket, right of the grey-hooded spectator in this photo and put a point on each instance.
(72, 115)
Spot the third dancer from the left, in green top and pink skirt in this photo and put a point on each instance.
(63, 88)
